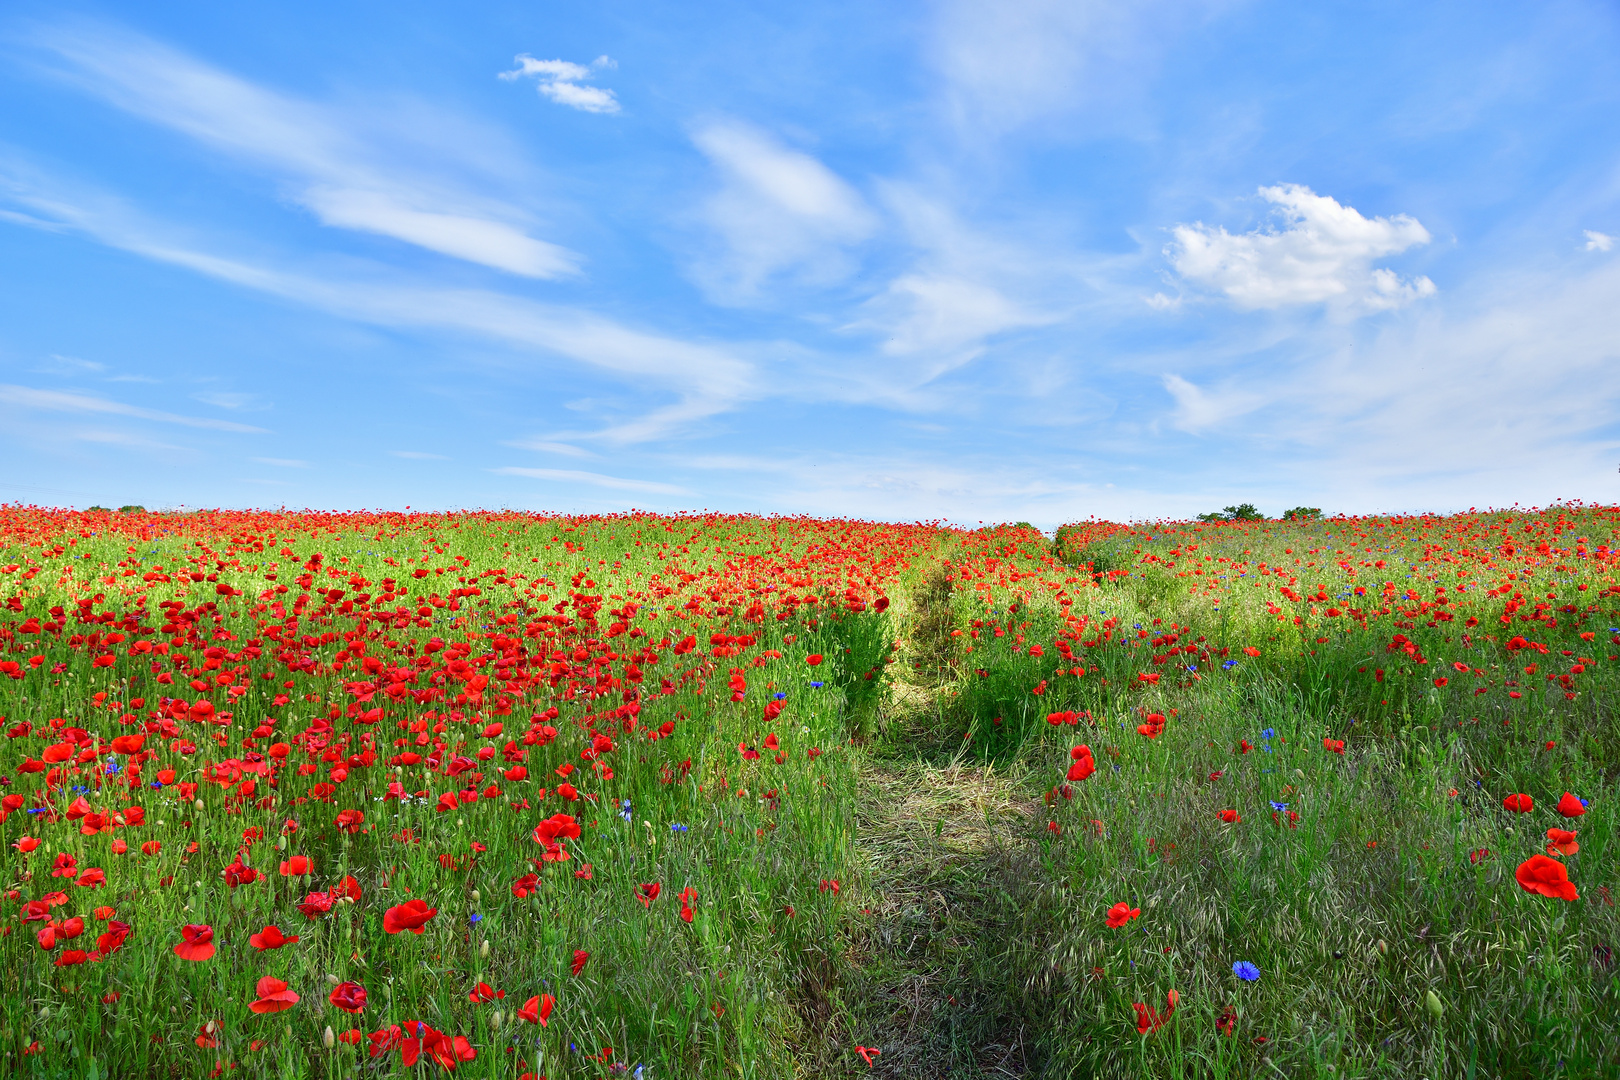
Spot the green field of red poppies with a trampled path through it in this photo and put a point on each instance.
(699, 796)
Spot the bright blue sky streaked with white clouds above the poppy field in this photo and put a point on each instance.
(966, 261)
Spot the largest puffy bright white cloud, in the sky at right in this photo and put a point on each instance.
(1321, 255)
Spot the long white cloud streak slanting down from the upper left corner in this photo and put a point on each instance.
(343, 166)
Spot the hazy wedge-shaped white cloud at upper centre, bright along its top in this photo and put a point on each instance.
(777, 210)
